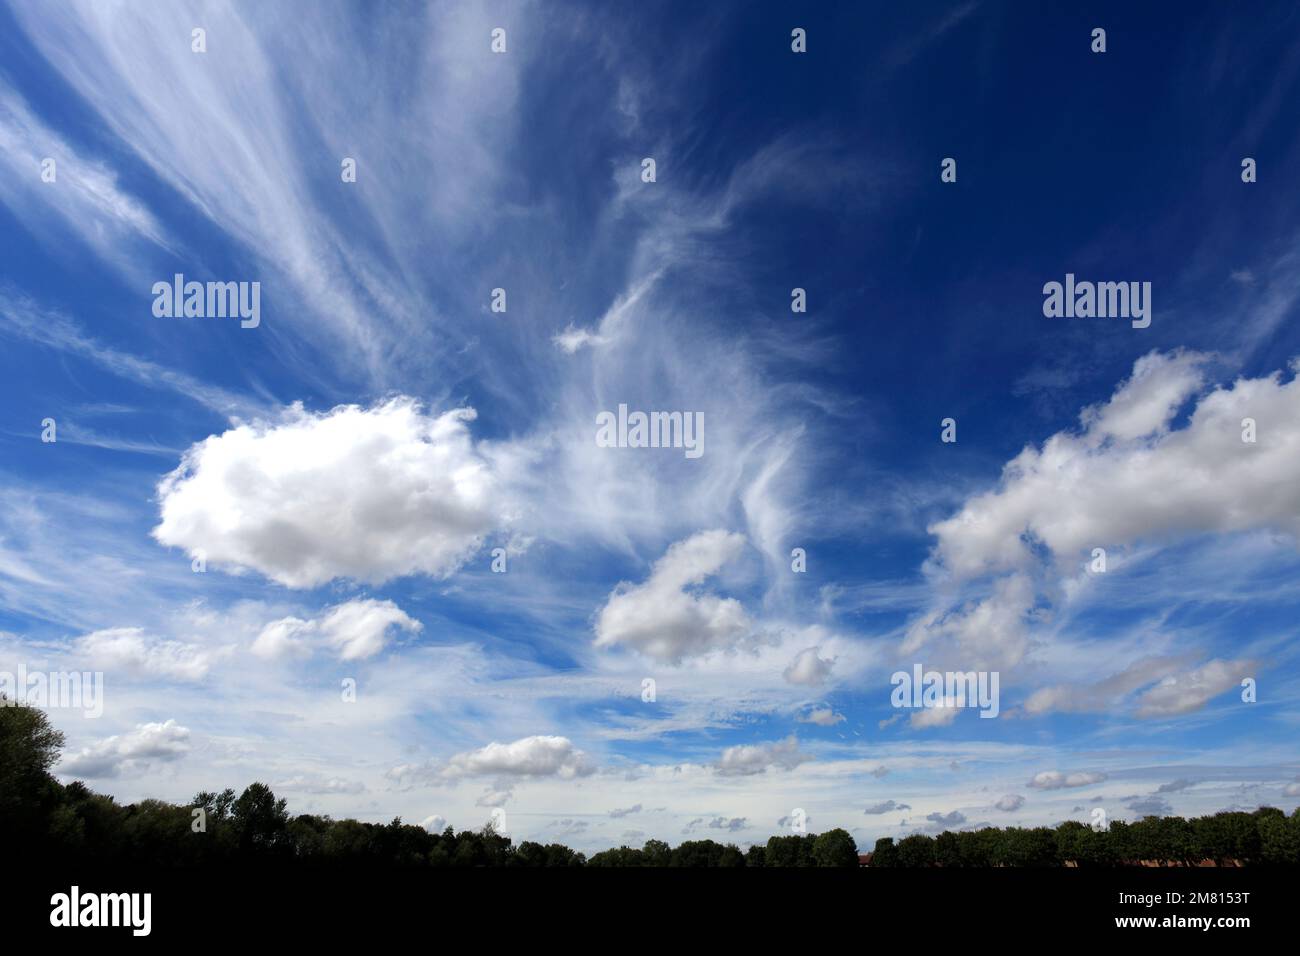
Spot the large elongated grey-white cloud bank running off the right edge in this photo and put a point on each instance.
(1162, 460)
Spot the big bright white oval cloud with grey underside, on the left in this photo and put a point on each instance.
(358, 494)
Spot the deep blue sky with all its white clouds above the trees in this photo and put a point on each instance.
(348, 469)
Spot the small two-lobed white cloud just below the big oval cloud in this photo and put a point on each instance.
(354, 630)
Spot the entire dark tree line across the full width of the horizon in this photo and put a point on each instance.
(71, 823)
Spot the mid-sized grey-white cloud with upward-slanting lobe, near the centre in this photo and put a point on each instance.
(665, 621)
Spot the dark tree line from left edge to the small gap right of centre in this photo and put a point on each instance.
(71, 823)
